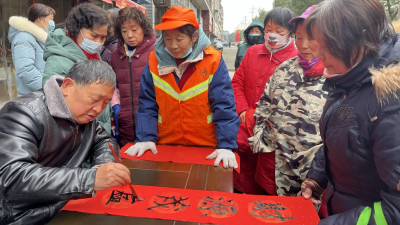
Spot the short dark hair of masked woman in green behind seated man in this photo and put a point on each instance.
(87, 16)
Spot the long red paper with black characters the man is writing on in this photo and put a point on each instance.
(199, 206)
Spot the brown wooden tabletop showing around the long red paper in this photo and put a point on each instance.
(163, 174)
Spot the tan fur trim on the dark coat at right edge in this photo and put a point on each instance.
(386, 82)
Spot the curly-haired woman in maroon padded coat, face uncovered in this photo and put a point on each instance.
(136, 41)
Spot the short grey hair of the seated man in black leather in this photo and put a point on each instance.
(91, 71)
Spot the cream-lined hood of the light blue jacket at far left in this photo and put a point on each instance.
(22, 24)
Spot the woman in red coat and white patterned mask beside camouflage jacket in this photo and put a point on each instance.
(248, 83)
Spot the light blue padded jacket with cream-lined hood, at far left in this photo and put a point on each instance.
(27, 45)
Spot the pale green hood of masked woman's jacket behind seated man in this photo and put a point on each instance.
(58, 43)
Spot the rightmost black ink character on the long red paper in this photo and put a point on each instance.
(264, 210)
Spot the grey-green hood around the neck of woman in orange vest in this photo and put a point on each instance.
(166, 60)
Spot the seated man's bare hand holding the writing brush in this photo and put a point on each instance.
(111, 175)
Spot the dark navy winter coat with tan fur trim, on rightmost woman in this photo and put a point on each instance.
(360, 130)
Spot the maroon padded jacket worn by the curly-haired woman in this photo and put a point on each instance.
(120, 64)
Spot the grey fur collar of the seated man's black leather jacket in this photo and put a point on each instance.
(55, 99)
